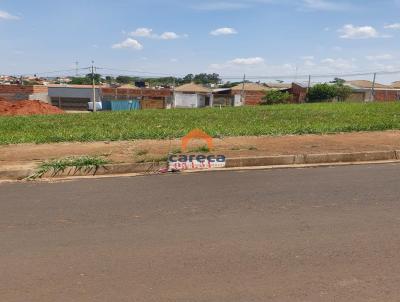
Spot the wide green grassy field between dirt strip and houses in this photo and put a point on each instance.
(163, 124)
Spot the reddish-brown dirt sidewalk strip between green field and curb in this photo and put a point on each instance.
(148, 150)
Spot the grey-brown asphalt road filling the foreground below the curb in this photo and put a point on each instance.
(323, 234)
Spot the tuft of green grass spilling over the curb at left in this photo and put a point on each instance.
(84, 163)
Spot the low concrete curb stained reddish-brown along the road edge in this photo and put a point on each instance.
(263, 161)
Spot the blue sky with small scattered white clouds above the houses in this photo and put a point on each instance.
(230, 37)
